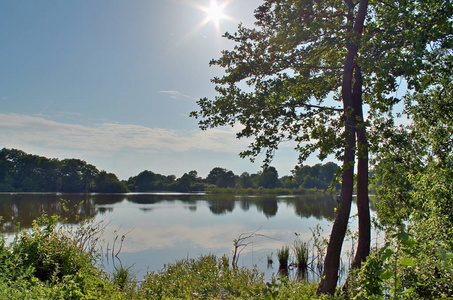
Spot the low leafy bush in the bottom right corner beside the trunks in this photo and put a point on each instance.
(403, 270)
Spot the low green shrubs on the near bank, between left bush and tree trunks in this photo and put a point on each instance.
(210, 278)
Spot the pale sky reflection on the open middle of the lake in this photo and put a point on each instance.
(167, 231)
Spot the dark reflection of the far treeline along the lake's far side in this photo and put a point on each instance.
(24, 208)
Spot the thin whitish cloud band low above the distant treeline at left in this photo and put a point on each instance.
(106, 138)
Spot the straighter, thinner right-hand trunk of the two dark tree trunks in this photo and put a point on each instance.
(363, 205)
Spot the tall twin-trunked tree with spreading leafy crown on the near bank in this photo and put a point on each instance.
(304, 73)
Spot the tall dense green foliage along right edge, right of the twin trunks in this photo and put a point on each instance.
(415, 177)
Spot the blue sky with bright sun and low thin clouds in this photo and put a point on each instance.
(113, 82)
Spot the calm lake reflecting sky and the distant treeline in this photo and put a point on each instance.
(160, 228)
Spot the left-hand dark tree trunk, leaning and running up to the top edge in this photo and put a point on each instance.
(332, 261)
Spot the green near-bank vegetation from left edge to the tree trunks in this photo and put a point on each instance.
(55, 262)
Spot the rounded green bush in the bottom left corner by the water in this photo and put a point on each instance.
(48, 263)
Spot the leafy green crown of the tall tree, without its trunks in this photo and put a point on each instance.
(283, 79)
